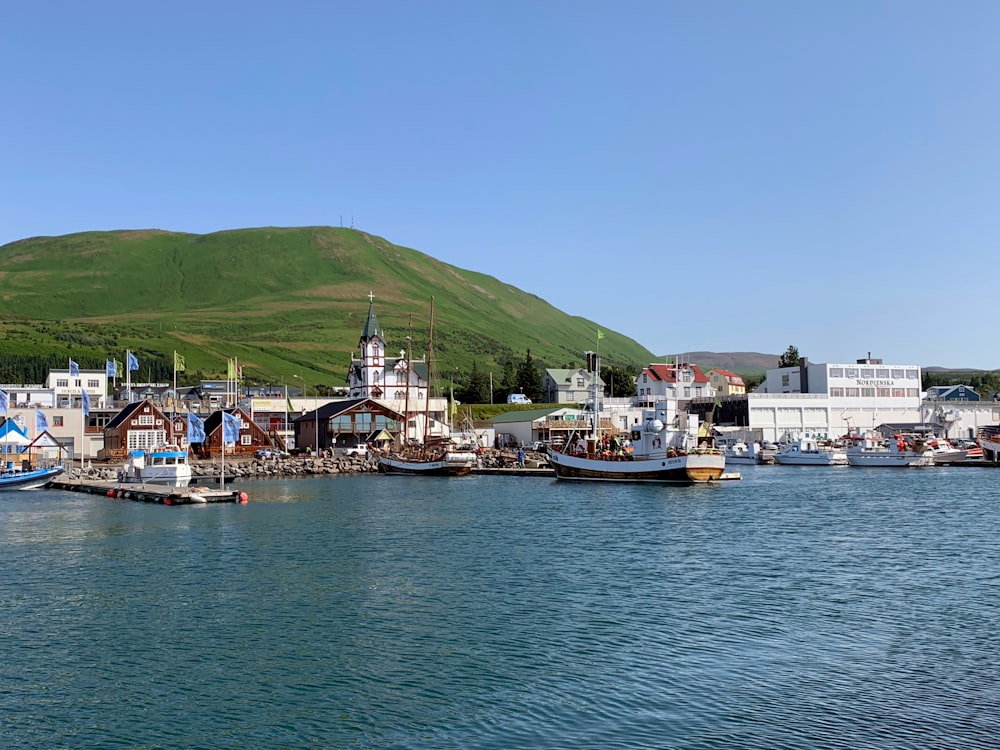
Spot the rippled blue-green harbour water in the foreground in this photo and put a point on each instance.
(802, 607)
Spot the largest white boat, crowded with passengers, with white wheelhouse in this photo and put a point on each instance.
(652, 453)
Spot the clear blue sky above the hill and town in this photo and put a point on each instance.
(722, 176)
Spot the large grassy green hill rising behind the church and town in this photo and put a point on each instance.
(285, 301)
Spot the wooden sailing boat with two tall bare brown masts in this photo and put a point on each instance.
(433, 455)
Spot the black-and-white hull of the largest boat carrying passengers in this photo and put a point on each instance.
(694, 468)
